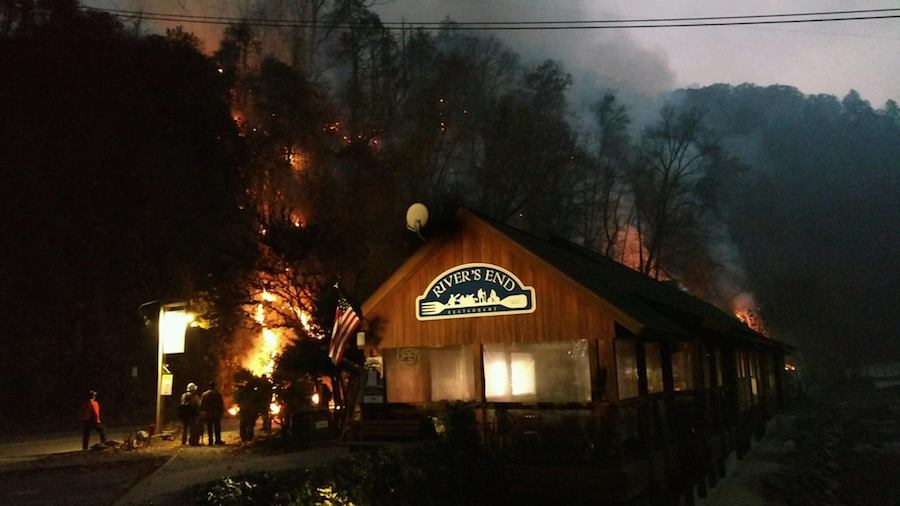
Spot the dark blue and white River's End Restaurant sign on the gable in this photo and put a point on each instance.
(473, 290)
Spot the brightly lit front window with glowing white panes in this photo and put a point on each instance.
(537, 372)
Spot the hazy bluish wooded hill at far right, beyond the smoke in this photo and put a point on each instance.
(816, 217)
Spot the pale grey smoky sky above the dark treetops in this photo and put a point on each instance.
(642, 64)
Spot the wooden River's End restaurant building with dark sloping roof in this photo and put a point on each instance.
(584, 373)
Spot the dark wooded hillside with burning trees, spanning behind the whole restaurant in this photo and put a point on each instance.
(137, 169)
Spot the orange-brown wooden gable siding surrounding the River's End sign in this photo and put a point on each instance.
(564, 310)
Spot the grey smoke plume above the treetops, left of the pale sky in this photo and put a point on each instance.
(600, 61)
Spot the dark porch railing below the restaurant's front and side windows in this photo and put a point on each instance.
(602, 433)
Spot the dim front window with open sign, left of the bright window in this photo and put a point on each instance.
(416, 375)
